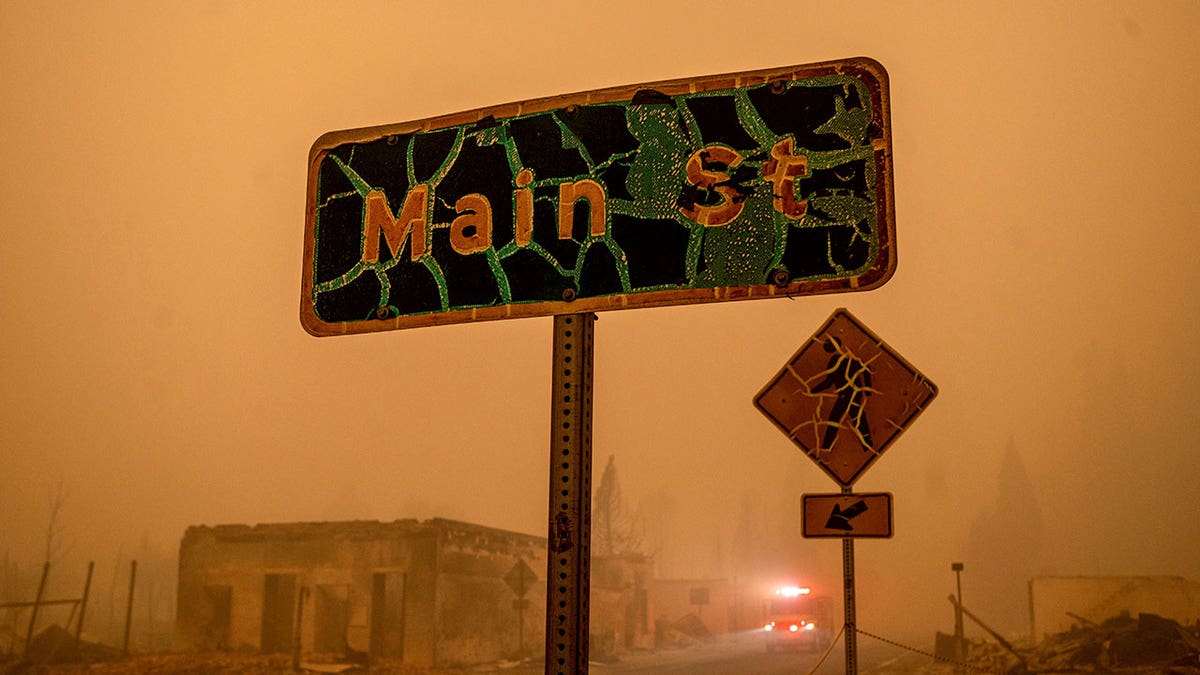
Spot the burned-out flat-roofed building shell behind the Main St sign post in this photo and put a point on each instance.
(430, 594)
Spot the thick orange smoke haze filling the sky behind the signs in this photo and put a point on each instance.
(155, 372)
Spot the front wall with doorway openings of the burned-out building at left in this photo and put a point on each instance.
(241, 587)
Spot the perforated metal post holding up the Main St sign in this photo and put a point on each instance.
(568, 561)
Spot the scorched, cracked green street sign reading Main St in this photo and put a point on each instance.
(772, 183)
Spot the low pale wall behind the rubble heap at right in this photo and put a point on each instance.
(1097, 599)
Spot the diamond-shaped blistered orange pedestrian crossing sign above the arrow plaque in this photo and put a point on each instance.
(845, 397)
